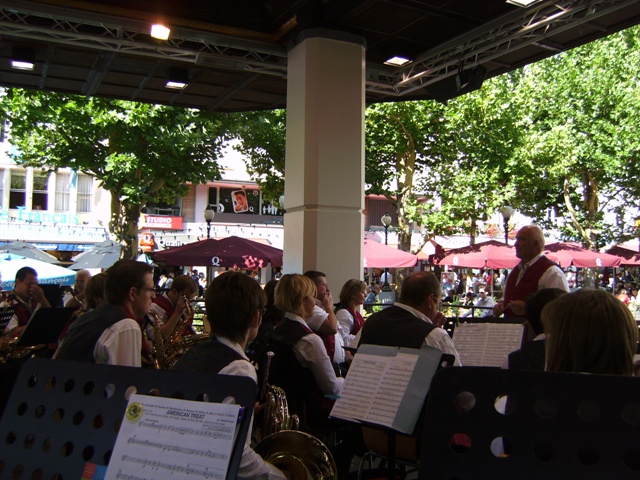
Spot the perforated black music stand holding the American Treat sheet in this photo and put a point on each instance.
(63, 417)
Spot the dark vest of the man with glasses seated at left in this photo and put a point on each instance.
(80, 341)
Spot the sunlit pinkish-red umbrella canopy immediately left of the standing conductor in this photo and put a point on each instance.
(490, 254)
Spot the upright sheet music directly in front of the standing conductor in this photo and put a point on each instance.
(487, 344)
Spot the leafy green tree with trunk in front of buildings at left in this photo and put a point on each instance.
(138, 152)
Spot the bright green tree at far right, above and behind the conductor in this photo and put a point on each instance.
(582, 153)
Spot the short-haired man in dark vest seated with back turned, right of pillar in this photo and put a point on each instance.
(412, 321)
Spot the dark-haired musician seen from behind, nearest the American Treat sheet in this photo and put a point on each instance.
(236, 302)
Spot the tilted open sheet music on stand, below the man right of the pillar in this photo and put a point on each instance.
(387, 386)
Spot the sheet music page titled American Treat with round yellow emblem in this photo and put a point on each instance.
(169, 438)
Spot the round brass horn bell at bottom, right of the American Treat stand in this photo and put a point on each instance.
(298, 454)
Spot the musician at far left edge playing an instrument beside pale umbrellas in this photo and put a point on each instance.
(26, 296)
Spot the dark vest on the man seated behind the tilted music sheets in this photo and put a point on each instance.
(395, 327)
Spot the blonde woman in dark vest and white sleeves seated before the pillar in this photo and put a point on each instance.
(301, 365)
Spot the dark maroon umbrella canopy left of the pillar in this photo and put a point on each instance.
(226, 252)
